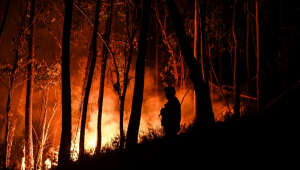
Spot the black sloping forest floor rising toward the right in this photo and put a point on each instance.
(251, 142)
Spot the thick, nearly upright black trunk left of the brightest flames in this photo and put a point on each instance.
(66, 131)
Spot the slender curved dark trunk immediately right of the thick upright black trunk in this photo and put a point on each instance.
(93, 52)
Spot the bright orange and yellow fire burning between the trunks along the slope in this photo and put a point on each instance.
(150, 127)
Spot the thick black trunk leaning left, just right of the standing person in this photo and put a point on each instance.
(204, 113)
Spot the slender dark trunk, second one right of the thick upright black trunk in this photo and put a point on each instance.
(102, 76)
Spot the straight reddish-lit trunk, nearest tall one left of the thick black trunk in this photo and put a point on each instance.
(29, 160)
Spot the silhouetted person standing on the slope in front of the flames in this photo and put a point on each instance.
(171, 114)
